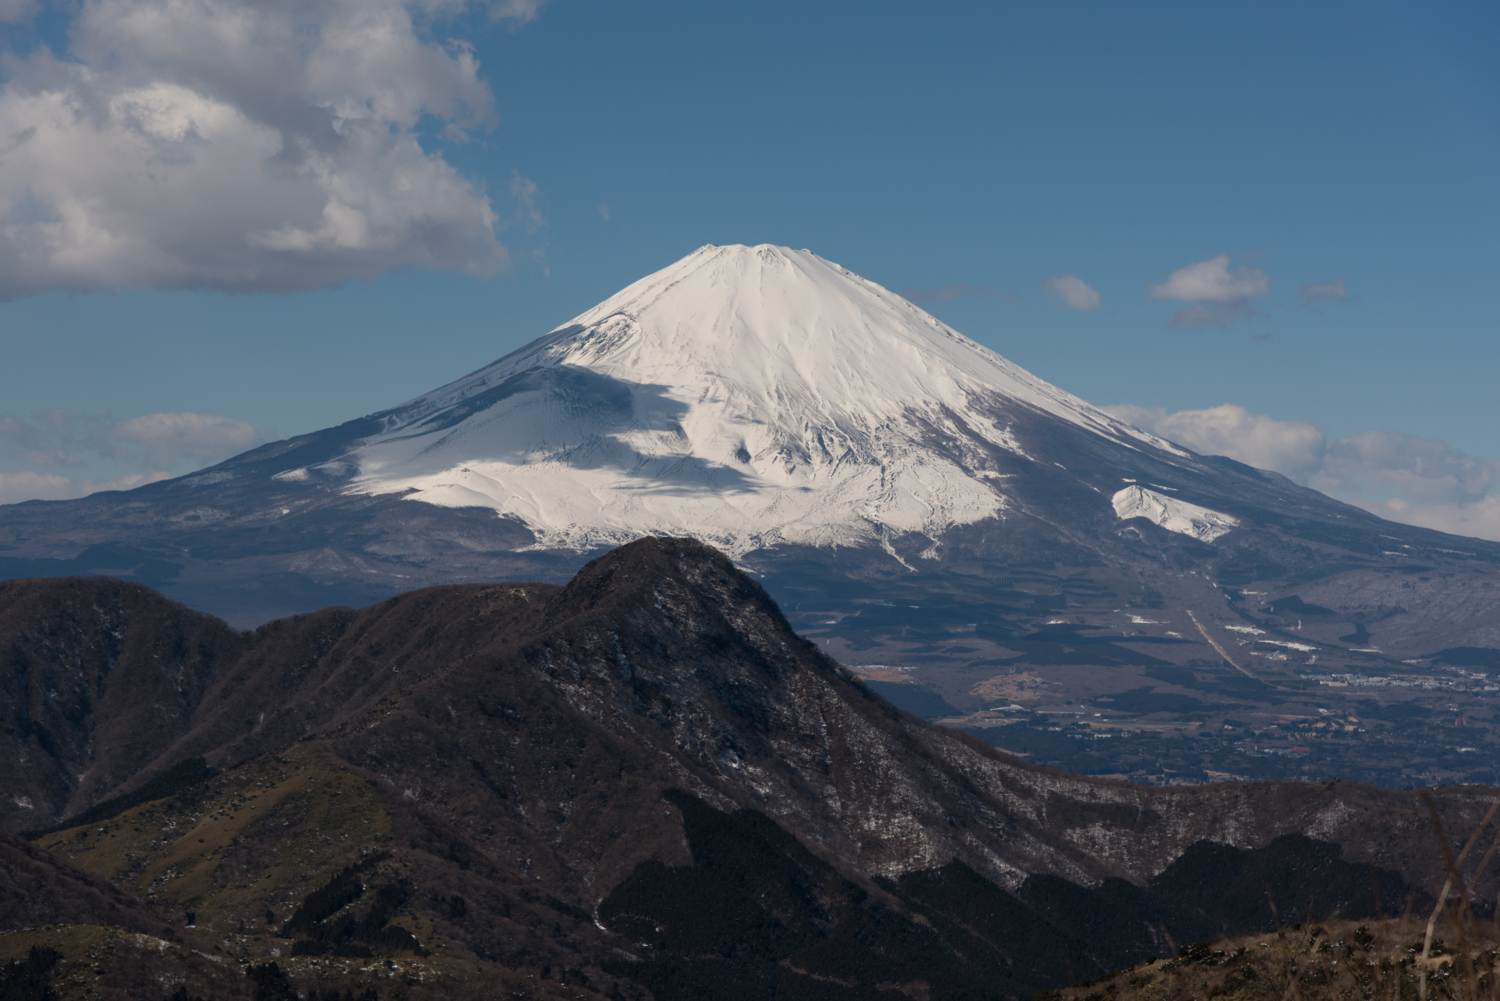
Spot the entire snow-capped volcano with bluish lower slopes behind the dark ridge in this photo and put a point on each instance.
(913, 500)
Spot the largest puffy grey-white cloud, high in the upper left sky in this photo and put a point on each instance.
(242, 146)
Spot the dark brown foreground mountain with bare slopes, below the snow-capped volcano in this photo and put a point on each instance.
(563, 778)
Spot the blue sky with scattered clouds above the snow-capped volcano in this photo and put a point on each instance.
(169, 250)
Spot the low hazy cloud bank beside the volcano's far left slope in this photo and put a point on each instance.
(59, 439)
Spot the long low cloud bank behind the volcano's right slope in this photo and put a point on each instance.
(1397, 476)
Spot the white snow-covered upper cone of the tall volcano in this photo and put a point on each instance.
(746, 395)
